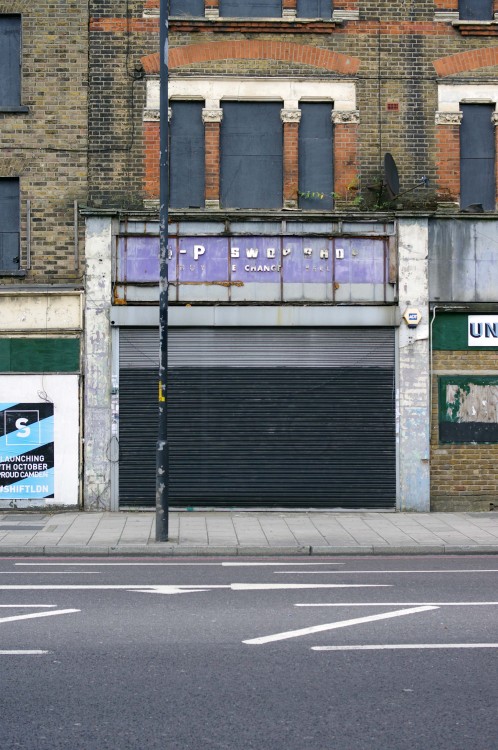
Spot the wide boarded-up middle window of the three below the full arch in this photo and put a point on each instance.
(251, 155)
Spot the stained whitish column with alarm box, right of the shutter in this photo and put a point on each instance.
(414, 368)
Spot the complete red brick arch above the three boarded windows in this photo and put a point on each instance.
(255, 50)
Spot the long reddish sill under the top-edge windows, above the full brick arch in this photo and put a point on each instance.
(254, 25)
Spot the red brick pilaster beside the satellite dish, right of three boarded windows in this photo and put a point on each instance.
(346, 165)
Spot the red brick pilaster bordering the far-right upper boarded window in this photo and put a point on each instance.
(448, 155)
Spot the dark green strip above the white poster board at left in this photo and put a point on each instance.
(40, 355)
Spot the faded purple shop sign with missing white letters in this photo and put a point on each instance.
(254, 260)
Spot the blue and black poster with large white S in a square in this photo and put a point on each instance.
(26, 452)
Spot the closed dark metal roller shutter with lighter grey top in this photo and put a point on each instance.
(262, 417)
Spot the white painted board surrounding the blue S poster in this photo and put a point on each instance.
(63, 392)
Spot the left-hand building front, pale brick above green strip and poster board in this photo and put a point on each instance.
(43, 180)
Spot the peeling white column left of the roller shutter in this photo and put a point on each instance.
(97, 421)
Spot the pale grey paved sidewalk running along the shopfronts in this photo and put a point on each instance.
(248, 533)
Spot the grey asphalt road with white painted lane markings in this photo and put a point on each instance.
(330, 654)
